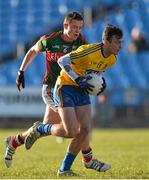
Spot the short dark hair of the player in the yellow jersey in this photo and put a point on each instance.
(112, 30)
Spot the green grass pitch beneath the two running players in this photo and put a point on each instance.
(126, 150)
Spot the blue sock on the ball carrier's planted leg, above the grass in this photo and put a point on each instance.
(67, 162)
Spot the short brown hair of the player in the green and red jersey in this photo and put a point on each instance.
(73, 16)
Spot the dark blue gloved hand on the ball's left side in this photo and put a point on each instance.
(83, 83)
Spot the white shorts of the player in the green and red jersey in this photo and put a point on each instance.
(47, 96)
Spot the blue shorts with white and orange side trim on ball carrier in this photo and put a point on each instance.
(70, 96)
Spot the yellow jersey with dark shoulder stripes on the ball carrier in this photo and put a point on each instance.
(87, 58)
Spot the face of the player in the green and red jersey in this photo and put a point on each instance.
(72, 30)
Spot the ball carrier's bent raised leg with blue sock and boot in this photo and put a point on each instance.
(68, 129)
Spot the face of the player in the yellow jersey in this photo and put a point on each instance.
(115, 45)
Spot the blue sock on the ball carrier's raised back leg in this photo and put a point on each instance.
(44, 129)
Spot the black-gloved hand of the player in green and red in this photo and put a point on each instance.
(20, 81)
